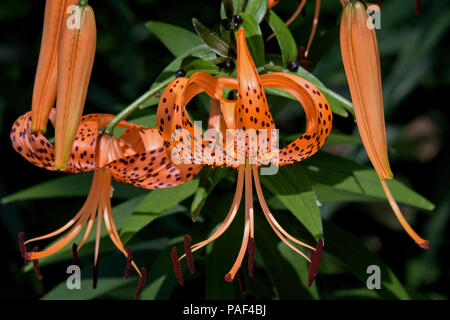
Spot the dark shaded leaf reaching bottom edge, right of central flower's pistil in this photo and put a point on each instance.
(286, 268)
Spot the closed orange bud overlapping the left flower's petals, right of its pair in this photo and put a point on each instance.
(75, 61)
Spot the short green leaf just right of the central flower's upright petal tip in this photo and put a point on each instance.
(254, 38)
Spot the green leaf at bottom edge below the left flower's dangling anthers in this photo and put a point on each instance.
(61, 292)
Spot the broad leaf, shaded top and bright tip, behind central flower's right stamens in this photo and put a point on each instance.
(292, 187)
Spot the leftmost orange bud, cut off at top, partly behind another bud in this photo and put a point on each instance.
(44, 92)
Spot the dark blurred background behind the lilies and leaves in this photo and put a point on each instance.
(415, 61)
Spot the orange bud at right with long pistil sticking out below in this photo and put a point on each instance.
(360, 56)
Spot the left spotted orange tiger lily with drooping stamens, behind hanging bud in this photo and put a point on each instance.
(108, 157)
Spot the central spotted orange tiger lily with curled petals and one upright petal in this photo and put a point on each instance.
(249, 112)
